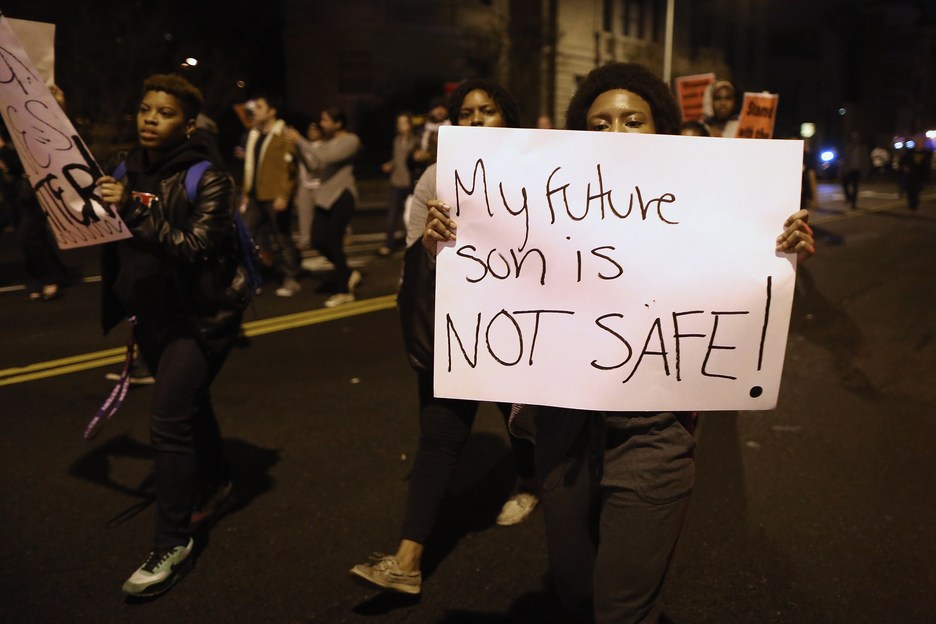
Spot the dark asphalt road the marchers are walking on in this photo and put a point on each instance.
(821, 511)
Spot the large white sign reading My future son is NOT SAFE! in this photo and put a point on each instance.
(614, 271)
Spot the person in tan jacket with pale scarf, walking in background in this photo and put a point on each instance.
(269, 178)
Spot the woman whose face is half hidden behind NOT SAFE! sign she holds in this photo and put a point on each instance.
(615, 486)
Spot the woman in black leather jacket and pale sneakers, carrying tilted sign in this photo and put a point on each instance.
(179, 281)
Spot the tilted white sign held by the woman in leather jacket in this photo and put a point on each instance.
(57, 162)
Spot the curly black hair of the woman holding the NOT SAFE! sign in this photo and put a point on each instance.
(632, 77)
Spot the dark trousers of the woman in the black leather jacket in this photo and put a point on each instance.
(184, 431)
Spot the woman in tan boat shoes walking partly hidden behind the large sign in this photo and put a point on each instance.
(445, 424)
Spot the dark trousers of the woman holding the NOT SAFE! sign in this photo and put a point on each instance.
(615, 491)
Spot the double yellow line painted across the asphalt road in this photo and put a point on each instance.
(107, 357)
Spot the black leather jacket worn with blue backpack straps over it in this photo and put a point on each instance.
(196, 243)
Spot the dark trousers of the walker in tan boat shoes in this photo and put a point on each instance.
(445, 425)
